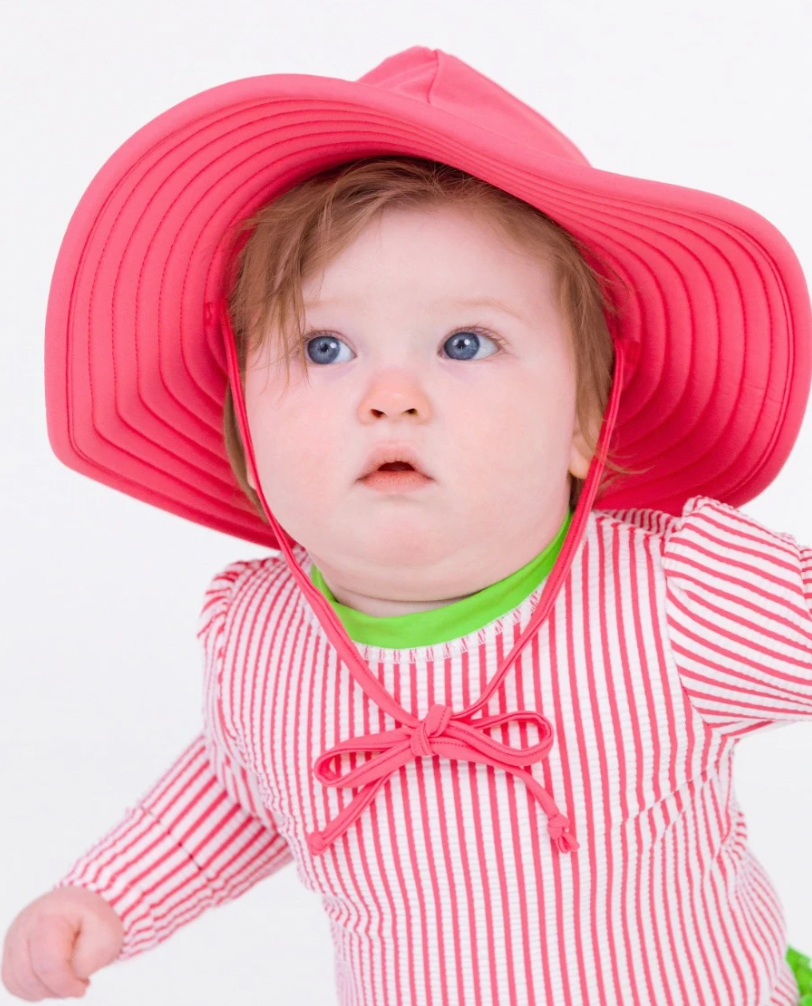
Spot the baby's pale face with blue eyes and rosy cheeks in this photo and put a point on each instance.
(495, 426)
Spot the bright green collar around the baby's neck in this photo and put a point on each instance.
(453, 621)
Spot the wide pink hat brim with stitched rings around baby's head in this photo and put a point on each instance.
(135, 383)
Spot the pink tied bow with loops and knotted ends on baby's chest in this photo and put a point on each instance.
(439, 733)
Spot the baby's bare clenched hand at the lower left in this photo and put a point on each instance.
(57, 941)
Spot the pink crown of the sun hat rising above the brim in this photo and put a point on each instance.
(444, 82)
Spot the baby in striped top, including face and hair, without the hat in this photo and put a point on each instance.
(514, 785)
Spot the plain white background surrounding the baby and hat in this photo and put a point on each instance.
(101, 669)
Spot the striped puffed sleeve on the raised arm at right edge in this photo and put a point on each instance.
(738, 608)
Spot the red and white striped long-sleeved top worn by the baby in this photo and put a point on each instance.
(672, 638)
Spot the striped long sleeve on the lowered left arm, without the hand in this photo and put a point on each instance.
(202, 835)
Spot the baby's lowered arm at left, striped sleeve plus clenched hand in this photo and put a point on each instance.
(200, 837)
